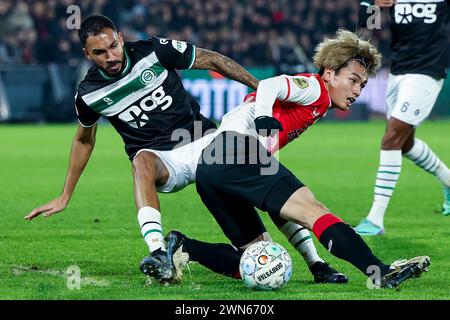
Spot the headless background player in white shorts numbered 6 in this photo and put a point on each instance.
(419, 54)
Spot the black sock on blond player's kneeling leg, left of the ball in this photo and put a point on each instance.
(219, 257)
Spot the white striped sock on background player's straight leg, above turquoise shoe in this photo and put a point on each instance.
(387, 176)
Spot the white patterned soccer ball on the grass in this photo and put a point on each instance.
(265, 265)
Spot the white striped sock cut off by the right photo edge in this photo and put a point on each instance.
(422, 155)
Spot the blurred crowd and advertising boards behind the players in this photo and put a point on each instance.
(40, 56)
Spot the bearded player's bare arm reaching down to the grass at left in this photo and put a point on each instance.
(82, 147)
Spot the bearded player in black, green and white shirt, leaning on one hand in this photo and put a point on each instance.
(135, 86)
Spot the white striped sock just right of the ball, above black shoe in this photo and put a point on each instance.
(300, 238)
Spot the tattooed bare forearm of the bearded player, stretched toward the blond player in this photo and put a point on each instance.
(211, 60)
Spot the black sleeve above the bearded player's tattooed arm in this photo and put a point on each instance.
(174, 54)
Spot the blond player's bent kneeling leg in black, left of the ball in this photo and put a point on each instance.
(238, 220)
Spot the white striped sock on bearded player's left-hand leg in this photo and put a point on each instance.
(150, 222)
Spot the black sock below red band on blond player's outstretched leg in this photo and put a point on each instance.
(343, 242)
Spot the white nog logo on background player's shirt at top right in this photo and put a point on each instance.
(404, 12)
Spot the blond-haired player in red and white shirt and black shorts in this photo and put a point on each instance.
(282, 108)
